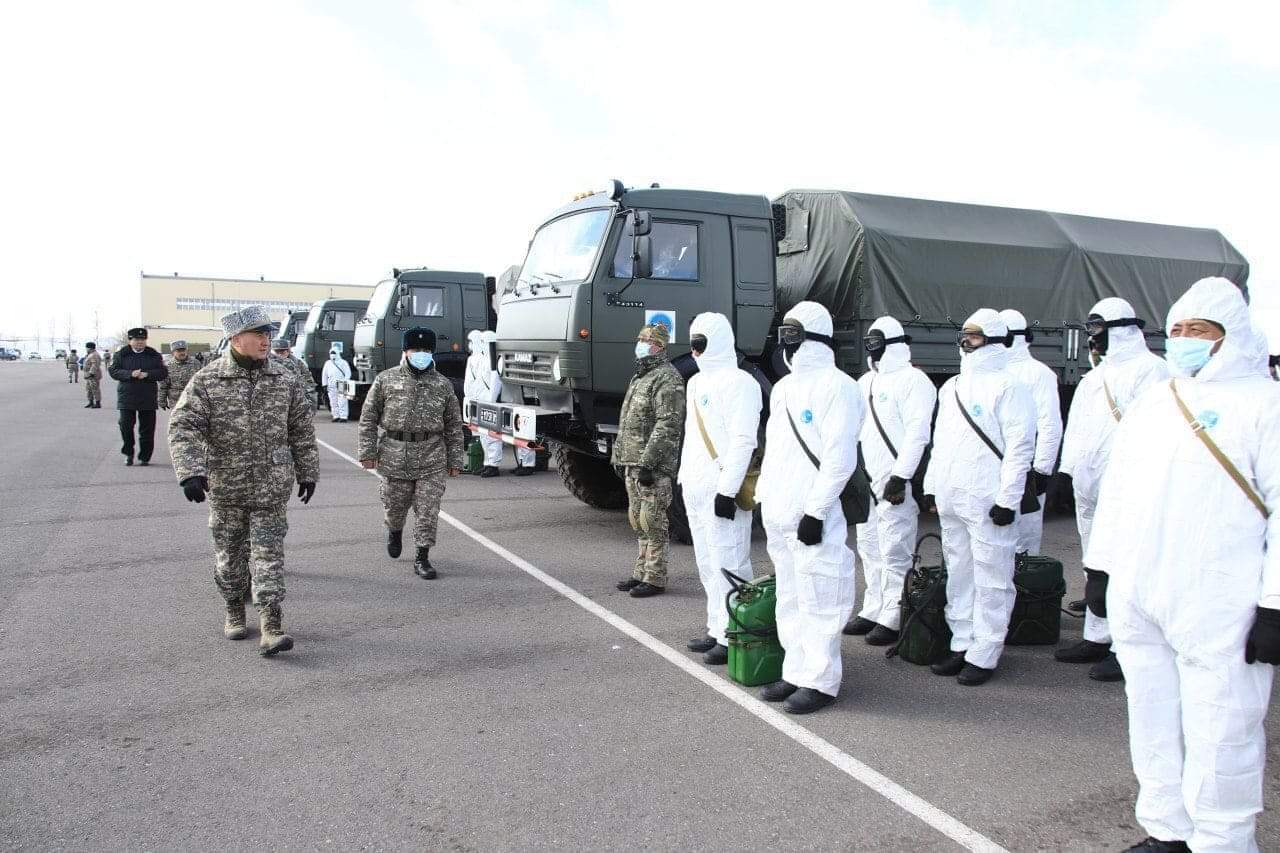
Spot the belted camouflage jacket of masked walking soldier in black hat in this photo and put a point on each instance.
(400, 402)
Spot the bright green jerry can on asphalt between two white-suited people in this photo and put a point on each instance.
(755, 653)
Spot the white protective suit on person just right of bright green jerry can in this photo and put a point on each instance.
(816, 583)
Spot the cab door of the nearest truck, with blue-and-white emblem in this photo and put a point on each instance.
(693, 272)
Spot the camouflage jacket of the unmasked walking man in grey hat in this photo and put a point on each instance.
(250, 432)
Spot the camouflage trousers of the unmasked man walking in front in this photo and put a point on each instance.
(250, 539)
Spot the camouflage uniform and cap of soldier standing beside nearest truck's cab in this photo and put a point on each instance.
(650, 434)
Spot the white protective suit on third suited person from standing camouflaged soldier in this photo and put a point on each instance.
(903, 399)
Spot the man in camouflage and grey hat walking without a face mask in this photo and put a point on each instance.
(243, 435)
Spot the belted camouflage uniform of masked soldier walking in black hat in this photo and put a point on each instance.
(413, 472)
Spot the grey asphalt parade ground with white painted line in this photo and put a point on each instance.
(482, 711)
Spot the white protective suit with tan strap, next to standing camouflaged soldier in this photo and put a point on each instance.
(729, 402)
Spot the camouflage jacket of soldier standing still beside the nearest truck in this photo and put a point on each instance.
(653, 418)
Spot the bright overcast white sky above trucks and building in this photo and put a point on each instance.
(331, 142)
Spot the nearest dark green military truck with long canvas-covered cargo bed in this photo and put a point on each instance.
(609, 263)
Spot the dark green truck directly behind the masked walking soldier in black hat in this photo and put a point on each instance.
(449, 303)
